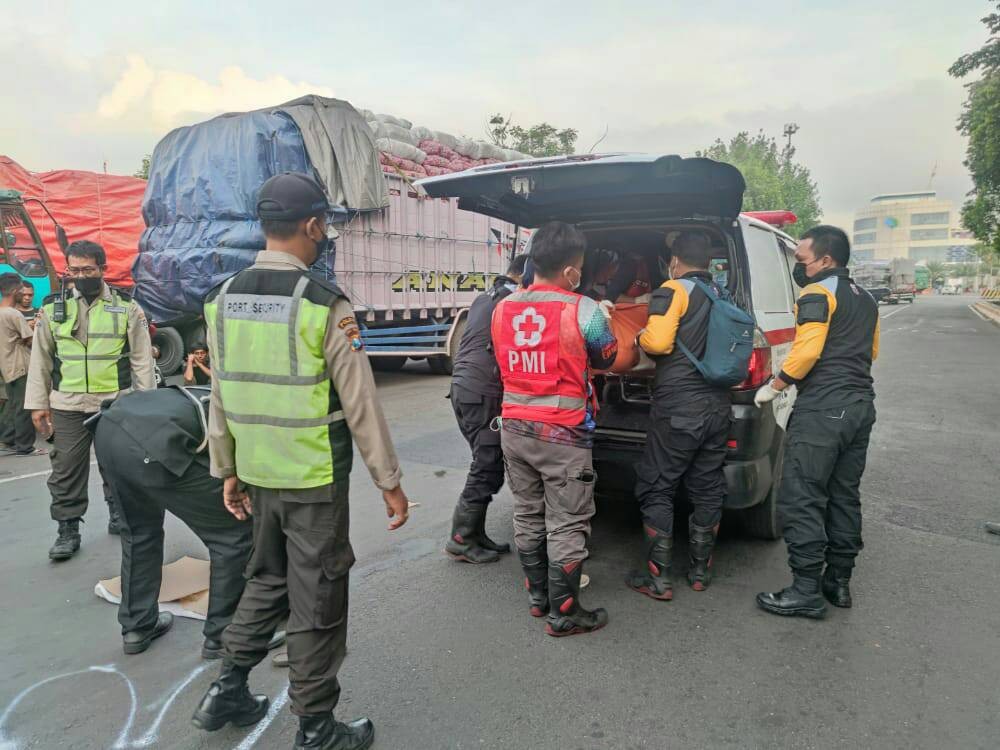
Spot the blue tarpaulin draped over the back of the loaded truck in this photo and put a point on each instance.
(200, 207)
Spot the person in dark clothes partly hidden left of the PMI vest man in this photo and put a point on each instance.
(475, 398)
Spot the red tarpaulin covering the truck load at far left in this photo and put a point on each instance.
(103, 208)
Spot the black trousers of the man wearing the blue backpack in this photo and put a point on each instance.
(685, 443)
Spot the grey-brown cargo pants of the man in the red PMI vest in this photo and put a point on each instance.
(553, 488)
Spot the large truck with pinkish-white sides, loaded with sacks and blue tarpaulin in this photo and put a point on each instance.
(410, 264)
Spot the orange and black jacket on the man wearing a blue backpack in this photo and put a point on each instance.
(674, 314)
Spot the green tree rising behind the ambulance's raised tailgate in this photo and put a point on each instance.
(774, 179)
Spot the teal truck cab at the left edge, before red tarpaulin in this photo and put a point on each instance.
(21, 248)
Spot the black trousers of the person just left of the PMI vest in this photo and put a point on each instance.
(474, 414)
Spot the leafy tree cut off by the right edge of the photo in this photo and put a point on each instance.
(980, 122)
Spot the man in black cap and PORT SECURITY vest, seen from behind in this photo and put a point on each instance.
(291, 387)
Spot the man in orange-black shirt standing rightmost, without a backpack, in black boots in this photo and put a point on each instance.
(836, 341)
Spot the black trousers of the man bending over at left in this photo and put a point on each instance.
(144, 491)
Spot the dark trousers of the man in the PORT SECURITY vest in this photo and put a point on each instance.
(299, 568)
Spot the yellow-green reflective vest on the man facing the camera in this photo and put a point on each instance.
(102, 366)
